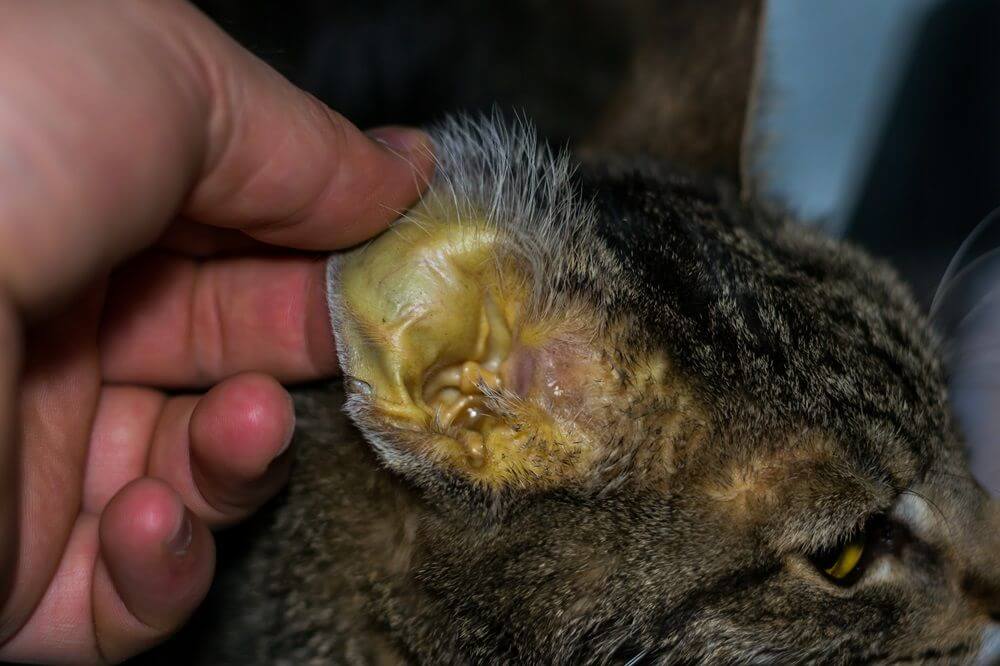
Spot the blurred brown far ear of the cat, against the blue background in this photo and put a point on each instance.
(692, 88)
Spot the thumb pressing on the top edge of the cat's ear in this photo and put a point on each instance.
(281, 165)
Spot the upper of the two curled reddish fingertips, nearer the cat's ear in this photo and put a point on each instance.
(225, 453)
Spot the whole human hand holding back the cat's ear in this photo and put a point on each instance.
(163, 195)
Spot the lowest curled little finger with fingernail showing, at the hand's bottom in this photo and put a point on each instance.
(155, 567)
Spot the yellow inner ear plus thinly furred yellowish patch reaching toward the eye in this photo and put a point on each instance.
(450, 372)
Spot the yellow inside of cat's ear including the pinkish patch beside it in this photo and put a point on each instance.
(434, 322)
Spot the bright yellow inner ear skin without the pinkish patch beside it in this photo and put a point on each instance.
(431, 318)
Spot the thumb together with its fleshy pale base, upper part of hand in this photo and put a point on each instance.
(206, 128)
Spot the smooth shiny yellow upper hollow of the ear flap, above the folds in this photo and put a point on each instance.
(410, 307)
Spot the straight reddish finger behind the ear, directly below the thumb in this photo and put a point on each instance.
(173, 321)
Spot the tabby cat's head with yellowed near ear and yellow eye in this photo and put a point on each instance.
(649, 422)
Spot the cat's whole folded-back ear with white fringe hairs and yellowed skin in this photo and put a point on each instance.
(470, 348)
